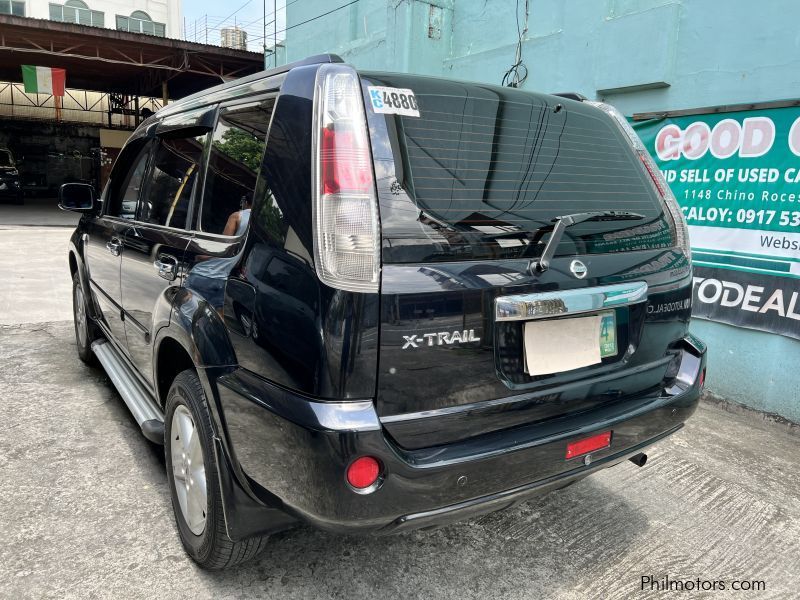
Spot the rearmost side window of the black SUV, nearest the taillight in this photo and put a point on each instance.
(237, 149)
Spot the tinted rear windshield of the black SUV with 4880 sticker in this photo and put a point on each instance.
(483, 171)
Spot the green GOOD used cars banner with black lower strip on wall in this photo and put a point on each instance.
(736, 176)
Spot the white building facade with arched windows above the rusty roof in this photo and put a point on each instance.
(150, 17)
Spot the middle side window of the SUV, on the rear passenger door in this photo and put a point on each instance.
(176, 165)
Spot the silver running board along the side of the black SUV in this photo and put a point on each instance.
(147, 414)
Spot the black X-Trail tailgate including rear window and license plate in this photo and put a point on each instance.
(469, 190)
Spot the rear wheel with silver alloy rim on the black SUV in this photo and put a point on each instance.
(198, 516)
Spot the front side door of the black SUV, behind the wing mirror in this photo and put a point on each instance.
(107, 234)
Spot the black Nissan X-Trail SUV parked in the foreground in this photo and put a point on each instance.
(376, 302)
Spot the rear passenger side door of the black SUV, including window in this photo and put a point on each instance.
(152, 263)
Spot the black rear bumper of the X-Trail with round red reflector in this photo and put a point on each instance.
(298, 449)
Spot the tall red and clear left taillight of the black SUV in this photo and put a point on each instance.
(346, 228)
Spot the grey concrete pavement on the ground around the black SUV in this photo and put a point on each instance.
(85, 509)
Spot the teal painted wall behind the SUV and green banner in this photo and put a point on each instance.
(640, 55)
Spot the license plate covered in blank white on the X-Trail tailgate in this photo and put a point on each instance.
(555, 346)
